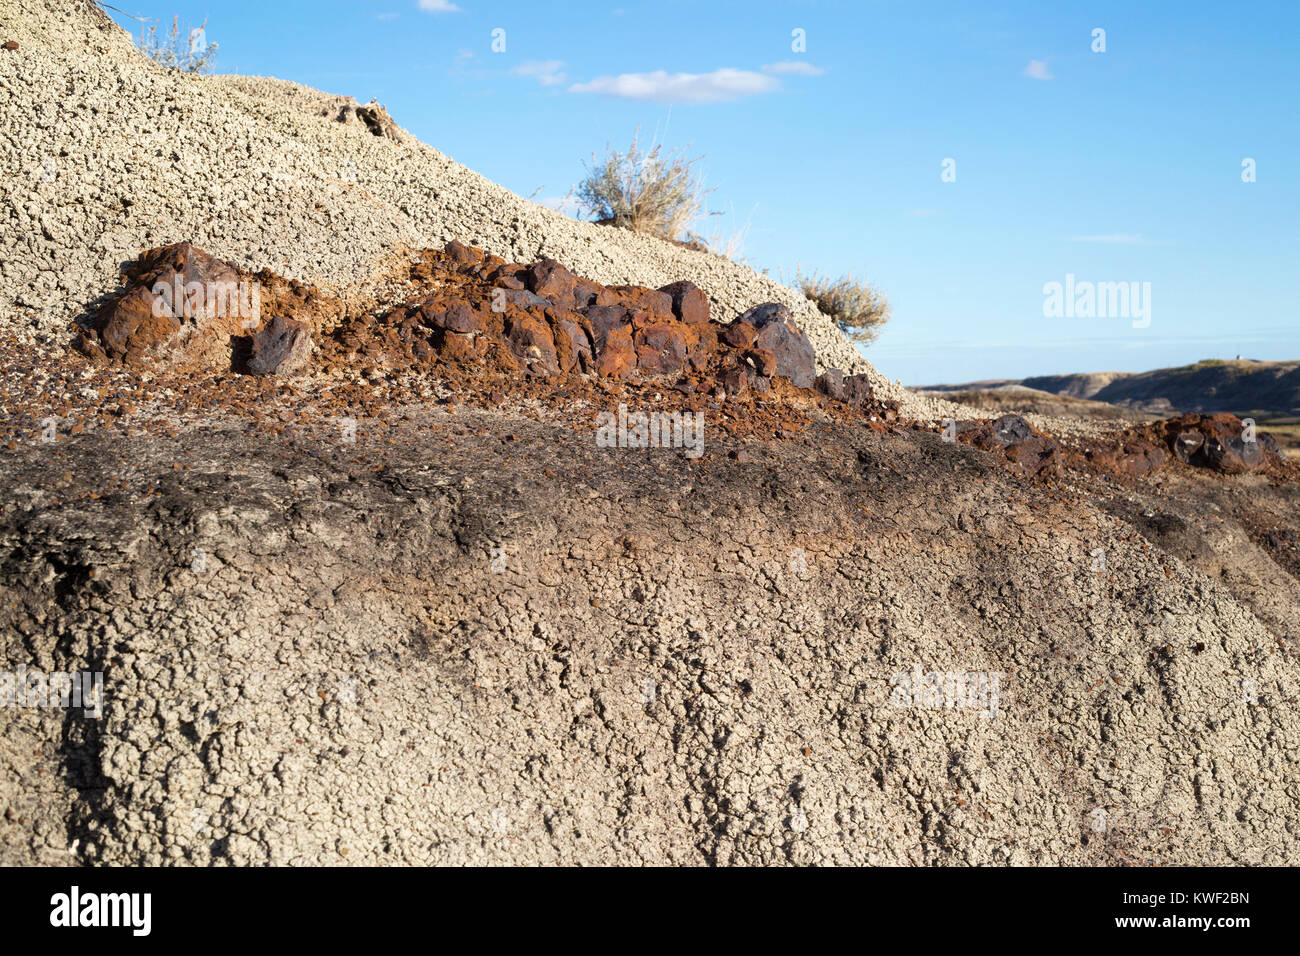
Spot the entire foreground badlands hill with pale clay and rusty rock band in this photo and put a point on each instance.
(365, 585)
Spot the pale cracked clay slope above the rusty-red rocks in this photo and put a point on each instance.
(249, 170)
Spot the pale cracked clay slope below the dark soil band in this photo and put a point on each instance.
(331, 690)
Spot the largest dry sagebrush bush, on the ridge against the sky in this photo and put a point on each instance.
(652, 192)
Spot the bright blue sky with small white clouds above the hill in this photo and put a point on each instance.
(1117, 166)
